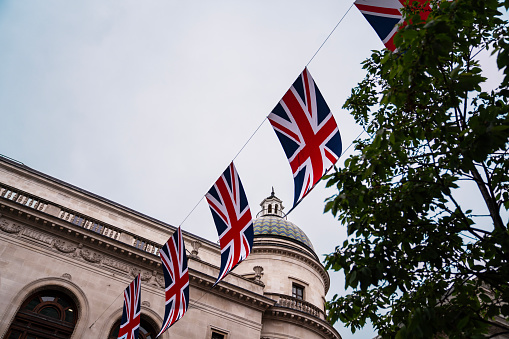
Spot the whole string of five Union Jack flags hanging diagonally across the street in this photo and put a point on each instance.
(310, 138)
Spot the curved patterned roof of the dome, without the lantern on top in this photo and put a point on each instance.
(275, 225)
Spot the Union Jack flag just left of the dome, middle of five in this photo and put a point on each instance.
(232, 216)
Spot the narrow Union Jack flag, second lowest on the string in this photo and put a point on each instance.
(176, 279)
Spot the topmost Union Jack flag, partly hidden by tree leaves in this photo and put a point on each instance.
(385, 16)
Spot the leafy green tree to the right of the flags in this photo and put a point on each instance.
(420, 263)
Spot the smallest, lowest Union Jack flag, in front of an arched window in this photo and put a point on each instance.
(130, 323)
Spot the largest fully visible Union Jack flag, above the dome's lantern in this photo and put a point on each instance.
(308, 133)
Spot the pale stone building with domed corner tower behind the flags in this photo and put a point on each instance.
(66, 255)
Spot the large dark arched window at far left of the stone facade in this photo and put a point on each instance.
(45, 315)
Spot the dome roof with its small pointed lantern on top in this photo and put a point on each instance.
(271, 221)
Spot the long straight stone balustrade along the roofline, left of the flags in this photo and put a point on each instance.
(78, 219)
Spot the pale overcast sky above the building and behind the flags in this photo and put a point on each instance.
(146, 103)
